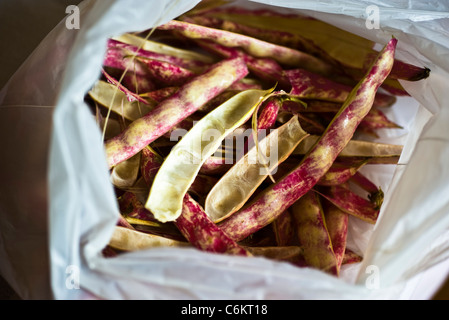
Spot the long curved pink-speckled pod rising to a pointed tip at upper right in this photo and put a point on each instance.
(279, 197)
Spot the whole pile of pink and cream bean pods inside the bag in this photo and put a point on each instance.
(243, 132)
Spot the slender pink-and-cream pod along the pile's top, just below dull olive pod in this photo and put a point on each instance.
(255, 47)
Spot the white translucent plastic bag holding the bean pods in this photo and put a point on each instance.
(409, 238)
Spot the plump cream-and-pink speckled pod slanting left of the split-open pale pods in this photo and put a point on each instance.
(174, 109)
